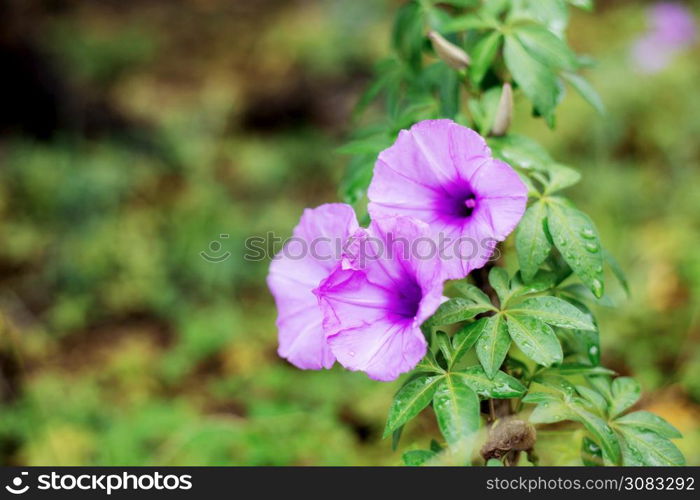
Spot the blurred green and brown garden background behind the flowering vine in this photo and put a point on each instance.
(136, 134)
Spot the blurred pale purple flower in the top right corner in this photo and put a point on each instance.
(672, 28)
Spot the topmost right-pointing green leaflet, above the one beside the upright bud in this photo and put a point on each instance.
(546, 47)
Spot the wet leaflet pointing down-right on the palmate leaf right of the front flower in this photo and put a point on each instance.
(535, 338)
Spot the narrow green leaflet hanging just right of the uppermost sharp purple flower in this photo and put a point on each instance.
(531, 242)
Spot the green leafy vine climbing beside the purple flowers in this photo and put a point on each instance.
(537, 329)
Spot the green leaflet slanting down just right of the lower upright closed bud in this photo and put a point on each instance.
(538, 82)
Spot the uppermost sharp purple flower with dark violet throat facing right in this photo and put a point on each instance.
(444, 174)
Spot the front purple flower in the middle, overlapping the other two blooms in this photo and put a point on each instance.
(373, 315)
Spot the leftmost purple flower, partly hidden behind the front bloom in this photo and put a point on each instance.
(307, 259)
